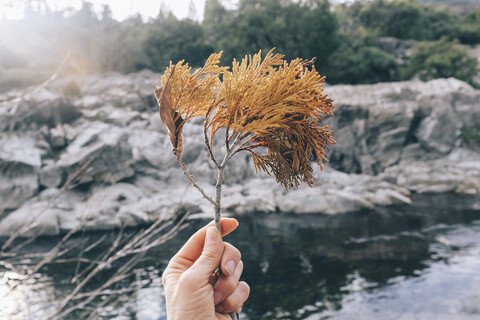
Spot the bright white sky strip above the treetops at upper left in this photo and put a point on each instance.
(121, 9)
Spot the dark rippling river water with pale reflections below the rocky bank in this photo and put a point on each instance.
(417, 262)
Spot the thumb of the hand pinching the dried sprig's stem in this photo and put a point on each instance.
(211, 255)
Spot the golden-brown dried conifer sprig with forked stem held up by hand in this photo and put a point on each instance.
(270, 108)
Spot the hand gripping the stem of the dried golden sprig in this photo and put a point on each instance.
(192, 291)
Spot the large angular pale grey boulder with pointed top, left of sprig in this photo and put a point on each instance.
(101, 152)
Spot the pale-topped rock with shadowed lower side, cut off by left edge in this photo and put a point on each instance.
(19, 164)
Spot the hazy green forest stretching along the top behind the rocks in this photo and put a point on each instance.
(357, 42)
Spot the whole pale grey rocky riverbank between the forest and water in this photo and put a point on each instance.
(100, 158)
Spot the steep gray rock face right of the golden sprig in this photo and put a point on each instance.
(375, 124)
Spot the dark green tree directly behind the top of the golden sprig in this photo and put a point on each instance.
(301, 29)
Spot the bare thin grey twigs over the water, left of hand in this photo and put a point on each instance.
(125, 250)
